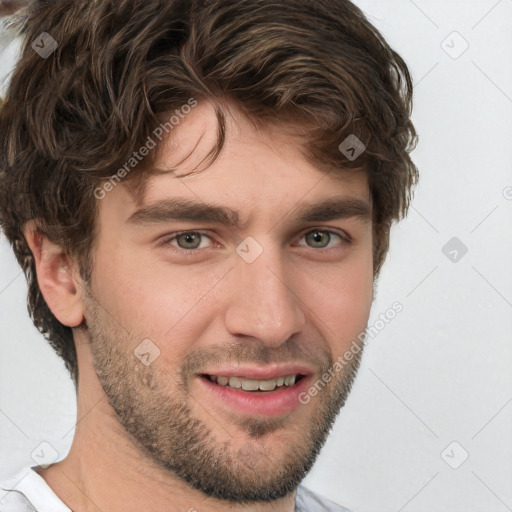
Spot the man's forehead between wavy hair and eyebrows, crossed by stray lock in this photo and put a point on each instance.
(258, 165)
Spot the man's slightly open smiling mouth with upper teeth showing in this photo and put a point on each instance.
(269, 397)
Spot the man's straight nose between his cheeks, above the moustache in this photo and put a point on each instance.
(263, 303)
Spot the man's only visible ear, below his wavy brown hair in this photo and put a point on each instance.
(57, 277)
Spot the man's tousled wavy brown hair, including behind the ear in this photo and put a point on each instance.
(72, 119)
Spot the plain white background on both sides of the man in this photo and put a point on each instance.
(440, 372)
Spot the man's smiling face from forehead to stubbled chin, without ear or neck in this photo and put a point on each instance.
(287, 300)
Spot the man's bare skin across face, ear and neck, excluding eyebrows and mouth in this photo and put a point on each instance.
(148, 436)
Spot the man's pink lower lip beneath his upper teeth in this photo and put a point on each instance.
(269, 403)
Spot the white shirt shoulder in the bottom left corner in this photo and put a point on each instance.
(27, 491)
